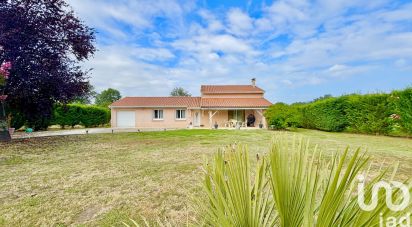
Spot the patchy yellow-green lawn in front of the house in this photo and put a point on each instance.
(101, 180)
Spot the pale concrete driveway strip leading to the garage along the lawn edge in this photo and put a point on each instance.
(18, 135)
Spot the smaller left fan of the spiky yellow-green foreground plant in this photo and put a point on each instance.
(233, 199)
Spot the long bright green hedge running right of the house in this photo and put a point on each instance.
(388, 114)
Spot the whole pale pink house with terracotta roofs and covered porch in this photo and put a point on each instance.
(226, 105)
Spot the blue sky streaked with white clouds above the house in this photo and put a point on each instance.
(297, 50)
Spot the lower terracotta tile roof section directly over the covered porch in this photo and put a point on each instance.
(234, 102)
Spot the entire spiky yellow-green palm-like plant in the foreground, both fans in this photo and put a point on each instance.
(305, 189)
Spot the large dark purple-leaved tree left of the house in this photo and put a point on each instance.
(46, 43)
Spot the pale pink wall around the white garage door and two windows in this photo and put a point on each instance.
(144, 118)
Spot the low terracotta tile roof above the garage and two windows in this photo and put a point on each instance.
(157, 102)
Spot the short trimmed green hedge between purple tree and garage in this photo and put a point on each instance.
(77, 114)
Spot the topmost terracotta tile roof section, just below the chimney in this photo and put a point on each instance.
(230, 89)
